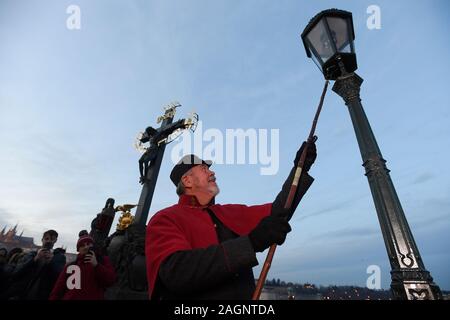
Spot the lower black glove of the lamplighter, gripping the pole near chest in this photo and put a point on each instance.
(270, 230)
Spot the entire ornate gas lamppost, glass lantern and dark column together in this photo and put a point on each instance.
(328, 40)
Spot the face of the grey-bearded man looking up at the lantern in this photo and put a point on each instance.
(201, 180)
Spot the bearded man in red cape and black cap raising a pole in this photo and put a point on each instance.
(197, 249)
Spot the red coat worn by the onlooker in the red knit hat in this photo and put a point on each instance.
(94, 281)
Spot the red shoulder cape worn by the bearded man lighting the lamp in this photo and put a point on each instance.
(186, 226)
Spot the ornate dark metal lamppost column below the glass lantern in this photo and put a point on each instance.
(410, 279)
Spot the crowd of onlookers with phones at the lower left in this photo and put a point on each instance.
(44, 274)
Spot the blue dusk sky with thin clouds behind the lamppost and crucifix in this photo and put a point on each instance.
(73, 100)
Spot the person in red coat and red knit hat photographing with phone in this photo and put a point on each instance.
(87, 277)
